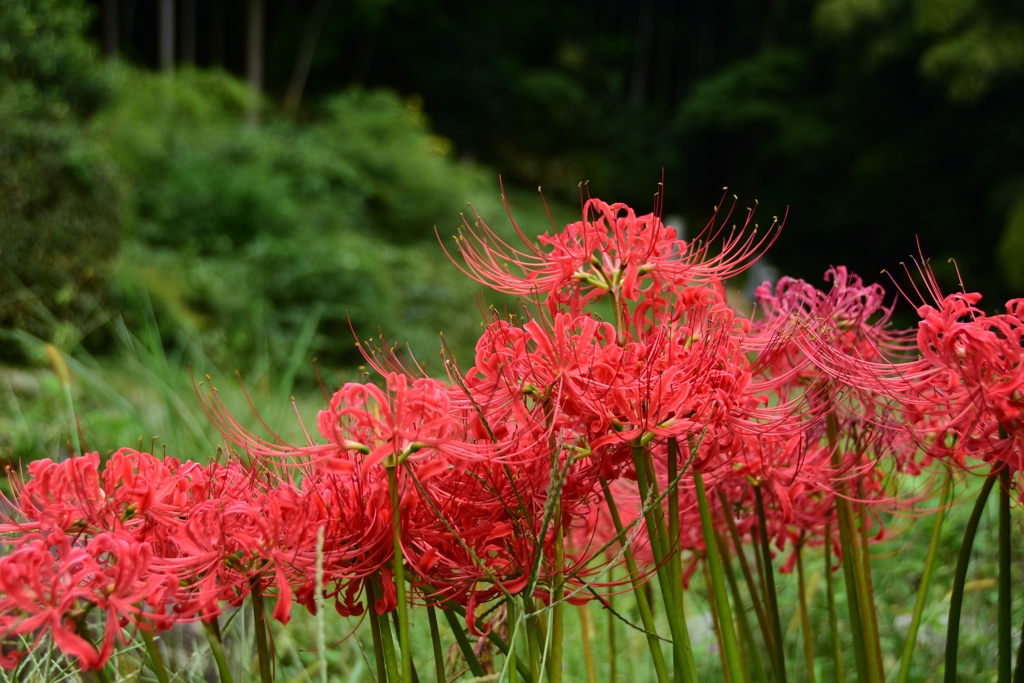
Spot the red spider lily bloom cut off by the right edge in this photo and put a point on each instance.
(963, 394)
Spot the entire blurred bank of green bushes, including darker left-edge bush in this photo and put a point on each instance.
(136, 197)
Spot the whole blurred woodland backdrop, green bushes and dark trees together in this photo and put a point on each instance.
(249, 216)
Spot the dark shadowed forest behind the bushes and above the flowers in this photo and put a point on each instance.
(876, 121)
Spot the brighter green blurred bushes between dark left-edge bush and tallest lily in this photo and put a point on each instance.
(247, 235)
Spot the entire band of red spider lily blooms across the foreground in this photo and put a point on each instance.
(626, 376)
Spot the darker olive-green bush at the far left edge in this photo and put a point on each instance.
(61, 198)
